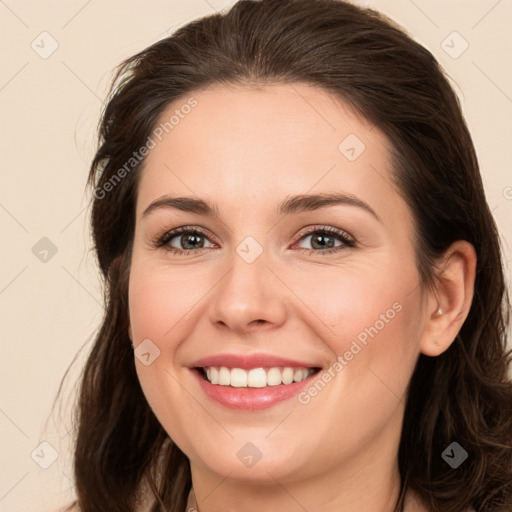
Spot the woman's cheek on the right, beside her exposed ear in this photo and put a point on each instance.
(370, 321)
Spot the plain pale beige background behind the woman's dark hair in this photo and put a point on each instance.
(50, 108)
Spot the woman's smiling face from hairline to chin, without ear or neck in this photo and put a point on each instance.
(262, 277)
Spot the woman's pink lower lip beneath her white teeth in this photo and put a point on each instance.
(250, 398)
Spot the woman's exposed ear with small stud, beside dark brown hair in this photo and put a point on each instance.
(448, 304)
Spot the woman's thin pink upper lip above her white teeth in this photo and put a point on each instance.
(248, 361)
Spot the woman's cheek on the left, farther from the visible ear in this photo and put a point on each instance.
(162, 303)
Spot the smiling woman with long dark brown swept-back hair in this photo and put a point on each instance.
(305, 301)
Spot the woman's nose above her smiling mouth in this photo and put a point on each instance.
(249, 298)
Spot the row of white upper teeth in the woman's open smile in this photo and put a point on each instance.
(256, 377)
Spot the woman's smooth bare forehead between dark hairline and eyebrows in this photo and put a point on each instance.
(238, 144)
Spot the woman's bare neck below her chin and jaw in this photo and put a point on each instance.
(367, 479)
